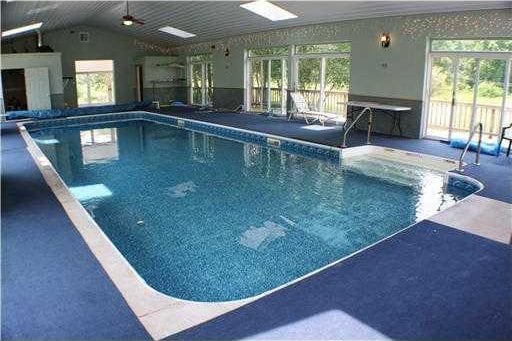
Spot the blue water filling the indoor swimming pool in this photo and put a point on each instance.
(209, 219)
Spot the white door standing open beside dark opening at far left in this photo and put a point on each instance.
(37, 83)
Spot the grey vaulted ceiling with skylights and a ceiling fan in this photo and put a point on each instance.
(210, 20)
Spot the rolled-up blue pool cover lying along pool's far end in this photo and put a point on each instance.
(95, 110)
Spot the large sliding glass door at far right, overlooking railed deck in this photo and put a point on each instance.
(466, 88)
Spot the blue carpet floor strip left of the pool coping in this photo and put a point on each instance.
(52, 286)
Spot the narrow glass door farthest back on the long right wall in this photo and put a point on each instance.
(201, 79)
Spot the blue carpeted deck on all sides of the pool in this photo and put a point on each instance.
(444, 278)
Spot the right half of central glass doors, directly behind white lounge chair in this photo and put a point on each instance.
(323, 76)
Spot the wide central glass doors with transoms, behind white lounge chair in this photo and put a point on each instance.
(320, 72)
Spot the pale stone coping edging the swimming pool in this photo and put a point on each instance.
(160, 314)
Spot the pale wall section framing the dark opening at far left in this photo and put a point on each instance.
(30, 60)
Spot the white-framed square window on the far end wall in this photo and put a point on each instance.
(94, 82)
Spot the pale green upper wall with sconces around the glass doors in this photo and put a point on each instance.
(404, 75)
